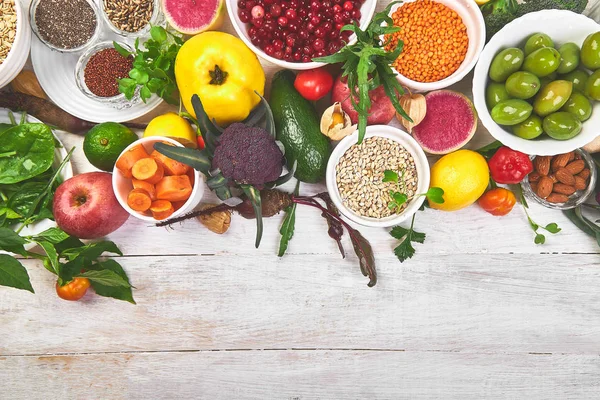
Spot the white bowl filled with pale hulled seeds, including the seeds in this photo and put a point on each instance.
(356, 172)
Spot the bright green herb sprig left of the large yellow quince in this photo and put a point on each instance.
(153, 67)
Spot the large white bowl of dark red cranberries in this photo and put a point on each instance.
(290, 33)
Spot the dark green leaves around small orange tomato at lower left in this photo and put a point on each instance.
(68, 258)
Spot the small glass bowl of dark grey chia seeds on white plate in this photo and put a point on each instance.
(67, 26)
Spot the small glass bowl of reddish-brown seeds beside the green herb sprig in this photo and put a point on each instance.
(98, 71)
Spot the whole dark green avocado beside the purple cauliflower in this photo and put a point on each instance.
(297, 126)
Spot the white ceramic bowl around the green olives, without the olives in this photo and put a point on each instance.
(562, 27)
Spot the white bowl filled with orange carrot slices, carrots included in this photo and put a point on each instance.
(153, 187)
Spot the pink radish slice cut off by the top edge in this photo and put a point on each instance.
(191, 17)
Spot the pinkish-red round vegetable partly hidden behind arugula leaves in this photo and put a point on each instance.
(382, 110)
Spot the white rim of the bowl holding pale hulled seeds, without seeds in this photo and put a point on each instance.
(410, 145)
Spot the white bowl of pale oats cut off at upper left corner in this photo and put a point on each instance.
(15, 39)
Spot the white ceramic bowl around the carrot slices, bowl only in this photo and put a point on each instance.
(122, 186)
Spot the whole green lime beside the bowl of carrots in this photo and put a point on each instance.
(105, 142)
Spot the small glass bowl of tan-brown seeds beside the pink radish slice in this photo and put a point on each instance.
(131, 18)
